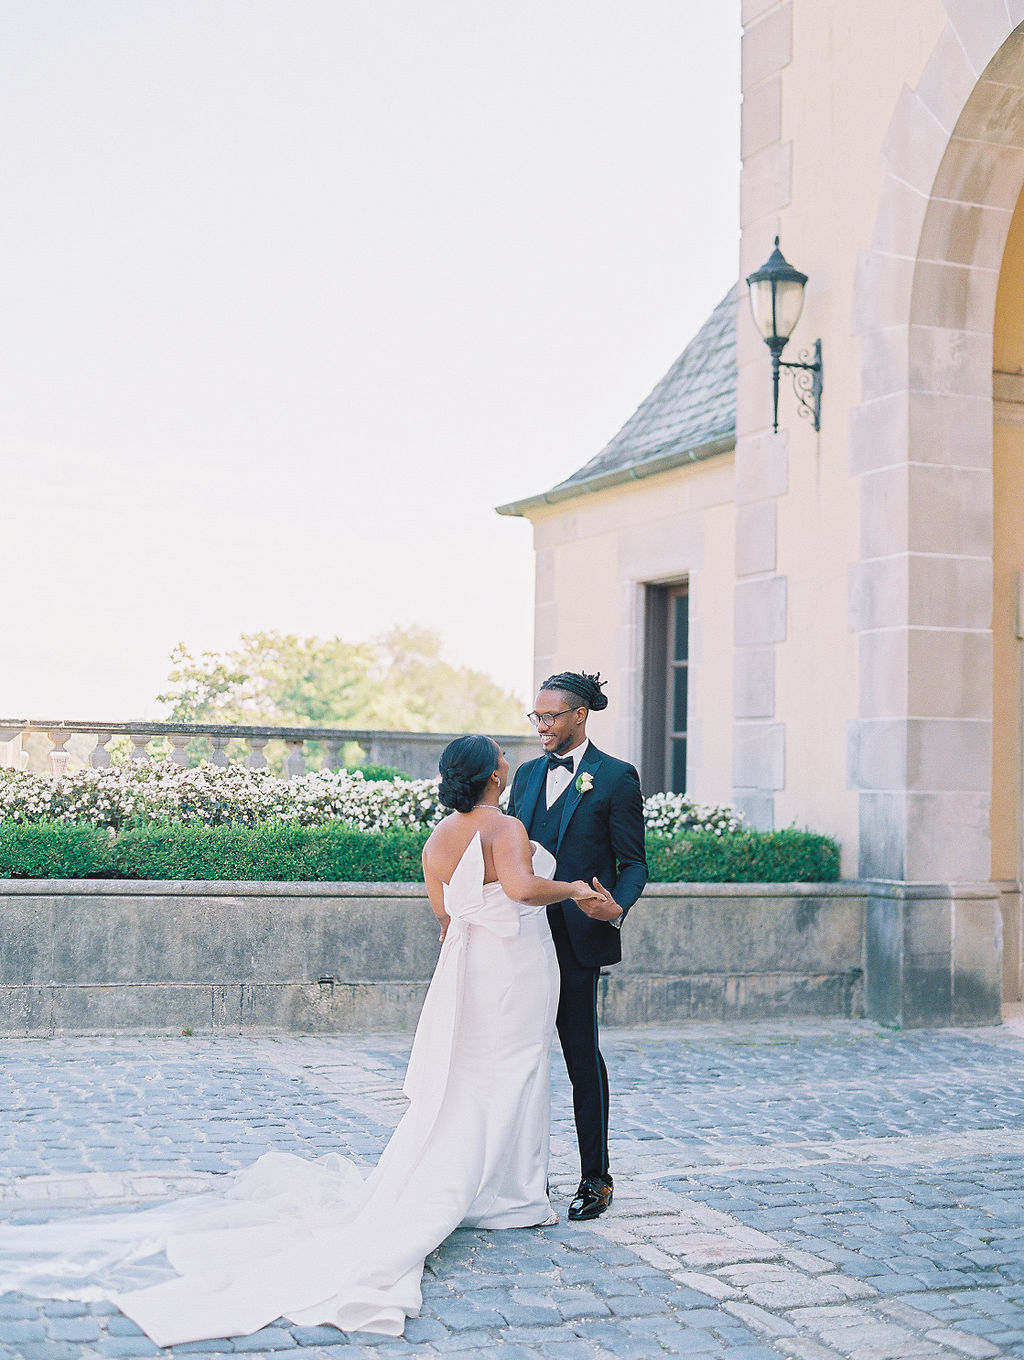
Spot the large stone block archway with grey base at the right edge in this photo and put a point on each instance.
(921, 444)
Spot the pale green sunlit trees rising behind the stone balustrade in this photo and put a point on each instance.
(399, 682)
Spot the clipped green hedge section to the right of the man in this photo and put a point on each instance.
(745, 857)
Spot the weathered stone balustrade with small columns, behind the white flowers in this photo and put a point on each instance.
(413, 753)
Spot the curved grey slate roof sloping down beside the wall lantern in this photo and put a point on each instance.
(690, 413)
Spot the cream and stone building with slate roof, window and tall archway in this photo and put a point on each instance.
(849, 643)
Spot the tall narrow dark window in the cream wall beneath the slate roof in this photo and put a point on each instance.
(667, 689)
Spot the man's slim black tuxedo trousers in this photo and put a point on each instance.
(577, 1032)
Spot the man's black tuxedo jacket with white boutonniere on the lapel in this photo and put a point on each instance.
(600, 833)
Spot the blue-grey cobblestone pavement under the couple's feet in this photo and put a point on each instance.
(807, 1191)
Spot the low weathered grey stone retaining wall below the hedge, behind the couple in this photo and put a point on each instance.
(228, 958)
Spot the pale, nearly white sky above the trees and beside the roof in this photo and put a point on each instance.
(293, 293)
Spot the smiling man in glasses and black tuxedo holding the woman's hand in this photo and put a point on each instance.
(588, 811)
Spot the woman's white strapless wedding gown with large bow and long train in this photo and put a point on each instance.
(312, 1241)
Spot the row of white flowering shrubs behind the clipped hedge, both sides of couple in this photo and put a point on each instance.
(211, 795)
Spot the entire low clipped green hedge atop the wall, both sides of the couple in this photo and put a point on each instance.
(334, 853)
